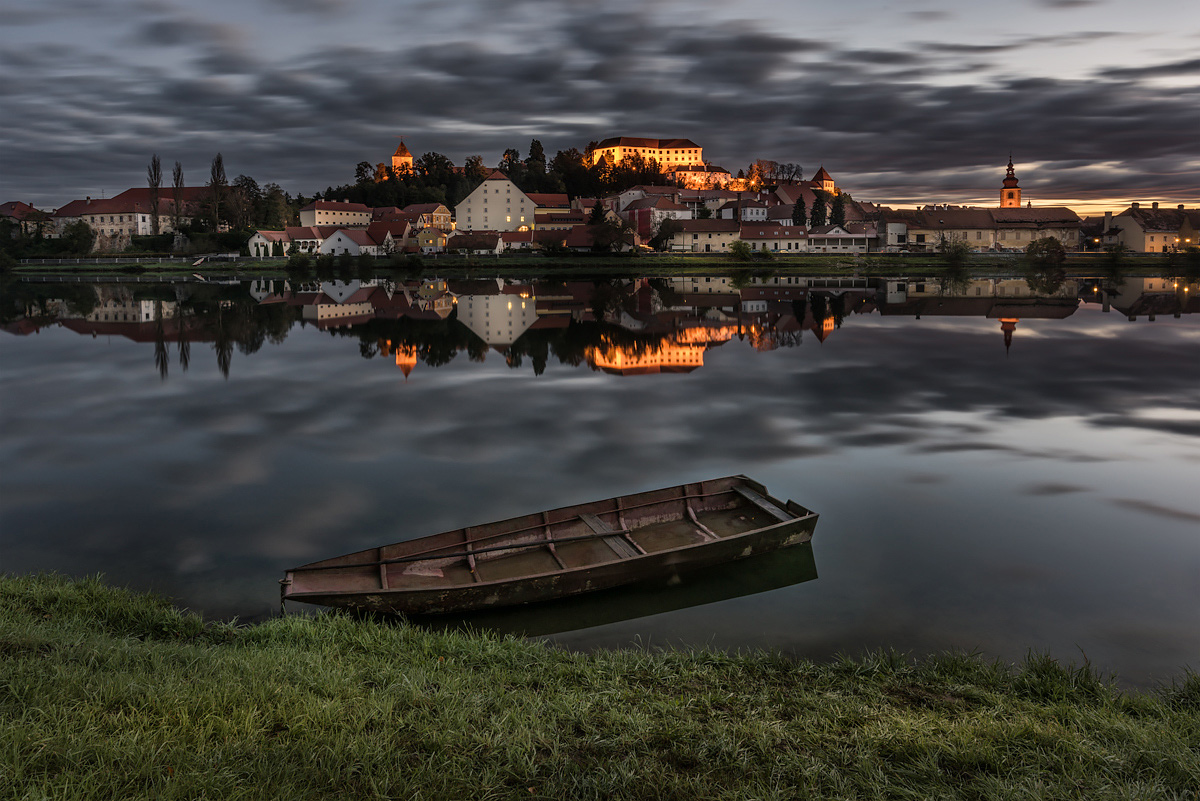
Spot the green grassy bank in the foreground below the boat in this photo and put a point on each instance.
(109, 695)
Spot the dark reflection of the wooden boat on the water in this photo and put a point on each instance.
(763, 574)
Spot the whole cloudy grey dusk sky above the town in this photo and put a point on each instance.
(903, 103)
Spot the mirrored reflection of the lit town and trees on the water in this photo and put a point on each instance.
(626, 327)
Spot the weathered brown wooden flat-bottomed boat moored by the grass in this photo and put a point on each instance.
(560, 553)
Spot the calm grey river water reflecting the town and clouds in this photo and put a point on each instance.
(1039, 496)
